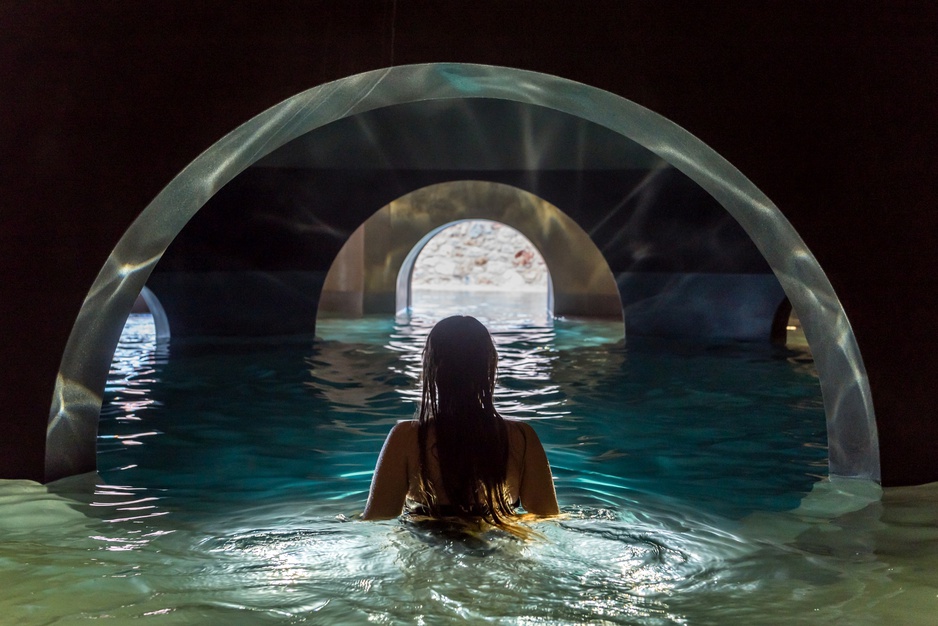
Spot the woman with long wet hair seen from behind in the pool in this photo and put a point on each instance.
(460, 458)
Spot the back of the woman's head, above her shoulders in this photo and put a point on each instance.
(459, 365)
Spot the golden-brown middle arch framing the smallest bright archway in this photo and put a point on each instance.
(581, 281)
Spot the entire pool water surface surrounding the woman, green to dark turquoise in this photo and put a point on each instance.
(693, 481)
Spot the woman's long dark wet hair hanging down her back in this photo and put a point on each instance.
(472, 447)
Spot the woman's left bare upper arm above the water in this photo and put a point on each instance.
(391, 479)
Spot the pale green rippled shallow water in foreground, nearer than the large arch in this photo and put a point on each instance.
(662, 563)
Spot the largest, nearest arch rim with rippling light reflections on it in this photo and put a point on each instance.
(70, 440)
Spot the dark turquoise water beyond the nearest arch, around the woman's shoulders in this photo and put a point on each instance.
(731, 428)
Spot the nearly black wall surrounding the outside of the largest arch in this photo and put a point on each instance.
(830, 108)
